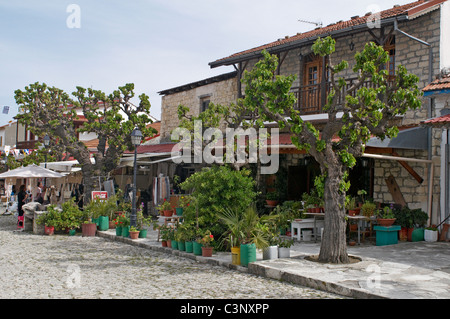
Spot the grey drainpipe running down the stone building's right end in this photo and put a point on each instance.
(429, 109)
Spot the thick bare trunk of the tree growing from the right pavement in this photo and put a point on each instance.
(333, 247)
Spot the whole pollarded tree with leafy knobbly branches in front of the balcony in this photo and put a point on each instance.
(354, 115)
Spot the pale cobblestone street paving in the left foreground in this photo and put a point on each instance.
(61, 266)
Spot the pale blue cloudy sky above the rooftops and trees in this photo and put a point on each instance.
(155, 44)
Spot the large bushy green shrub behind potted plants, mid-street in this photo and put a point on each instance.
(214, 188)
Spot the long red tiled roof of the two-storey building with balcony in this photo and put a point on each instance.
(413, 8)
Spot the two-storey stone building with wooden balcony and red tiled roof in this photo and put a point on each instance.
(415, 35)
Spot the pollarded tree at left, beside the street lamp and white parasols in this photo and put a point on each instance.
(49, 110)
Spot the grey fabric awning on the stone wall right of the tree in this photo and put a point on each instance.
(414, 139)
